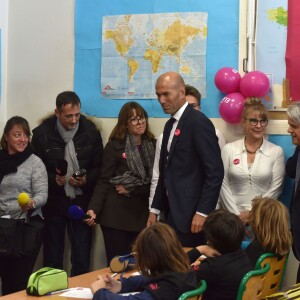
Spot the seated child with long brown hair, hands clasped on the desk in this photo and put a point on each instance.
(164, 266)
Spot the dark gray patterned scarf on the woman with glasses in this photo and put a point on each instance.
(137, 174)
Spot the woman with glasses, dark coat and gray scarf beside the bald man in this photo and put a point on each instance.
(120, 199)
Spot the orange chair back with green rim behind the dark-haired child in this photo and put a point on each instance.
(252, 284)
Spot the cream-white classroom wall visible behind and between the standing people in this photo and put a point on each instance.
(39, 64)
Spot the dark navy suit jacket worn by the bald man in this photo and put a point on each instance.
(194, 172)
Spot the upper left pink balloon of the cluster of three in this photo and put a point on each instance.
(227, 80)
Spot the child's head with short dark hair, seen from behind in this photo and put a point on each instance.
(224, 231)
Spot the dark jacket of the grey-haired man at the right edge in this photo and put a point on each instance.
(290, 168)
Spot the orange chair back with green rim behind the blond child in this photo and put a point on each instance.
(275, 275)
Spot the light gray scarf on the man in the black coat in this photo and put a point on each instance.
(70, 157)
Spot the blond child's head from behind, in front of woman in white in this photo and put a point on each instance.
(269, 219)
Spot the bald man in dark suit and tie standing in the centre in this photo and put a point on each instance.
(191, 168)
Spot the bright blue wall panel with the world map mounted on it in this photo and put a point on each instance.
(106, 75)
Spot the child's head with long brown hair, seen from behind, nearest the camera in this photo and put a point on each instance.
(158, 250)
